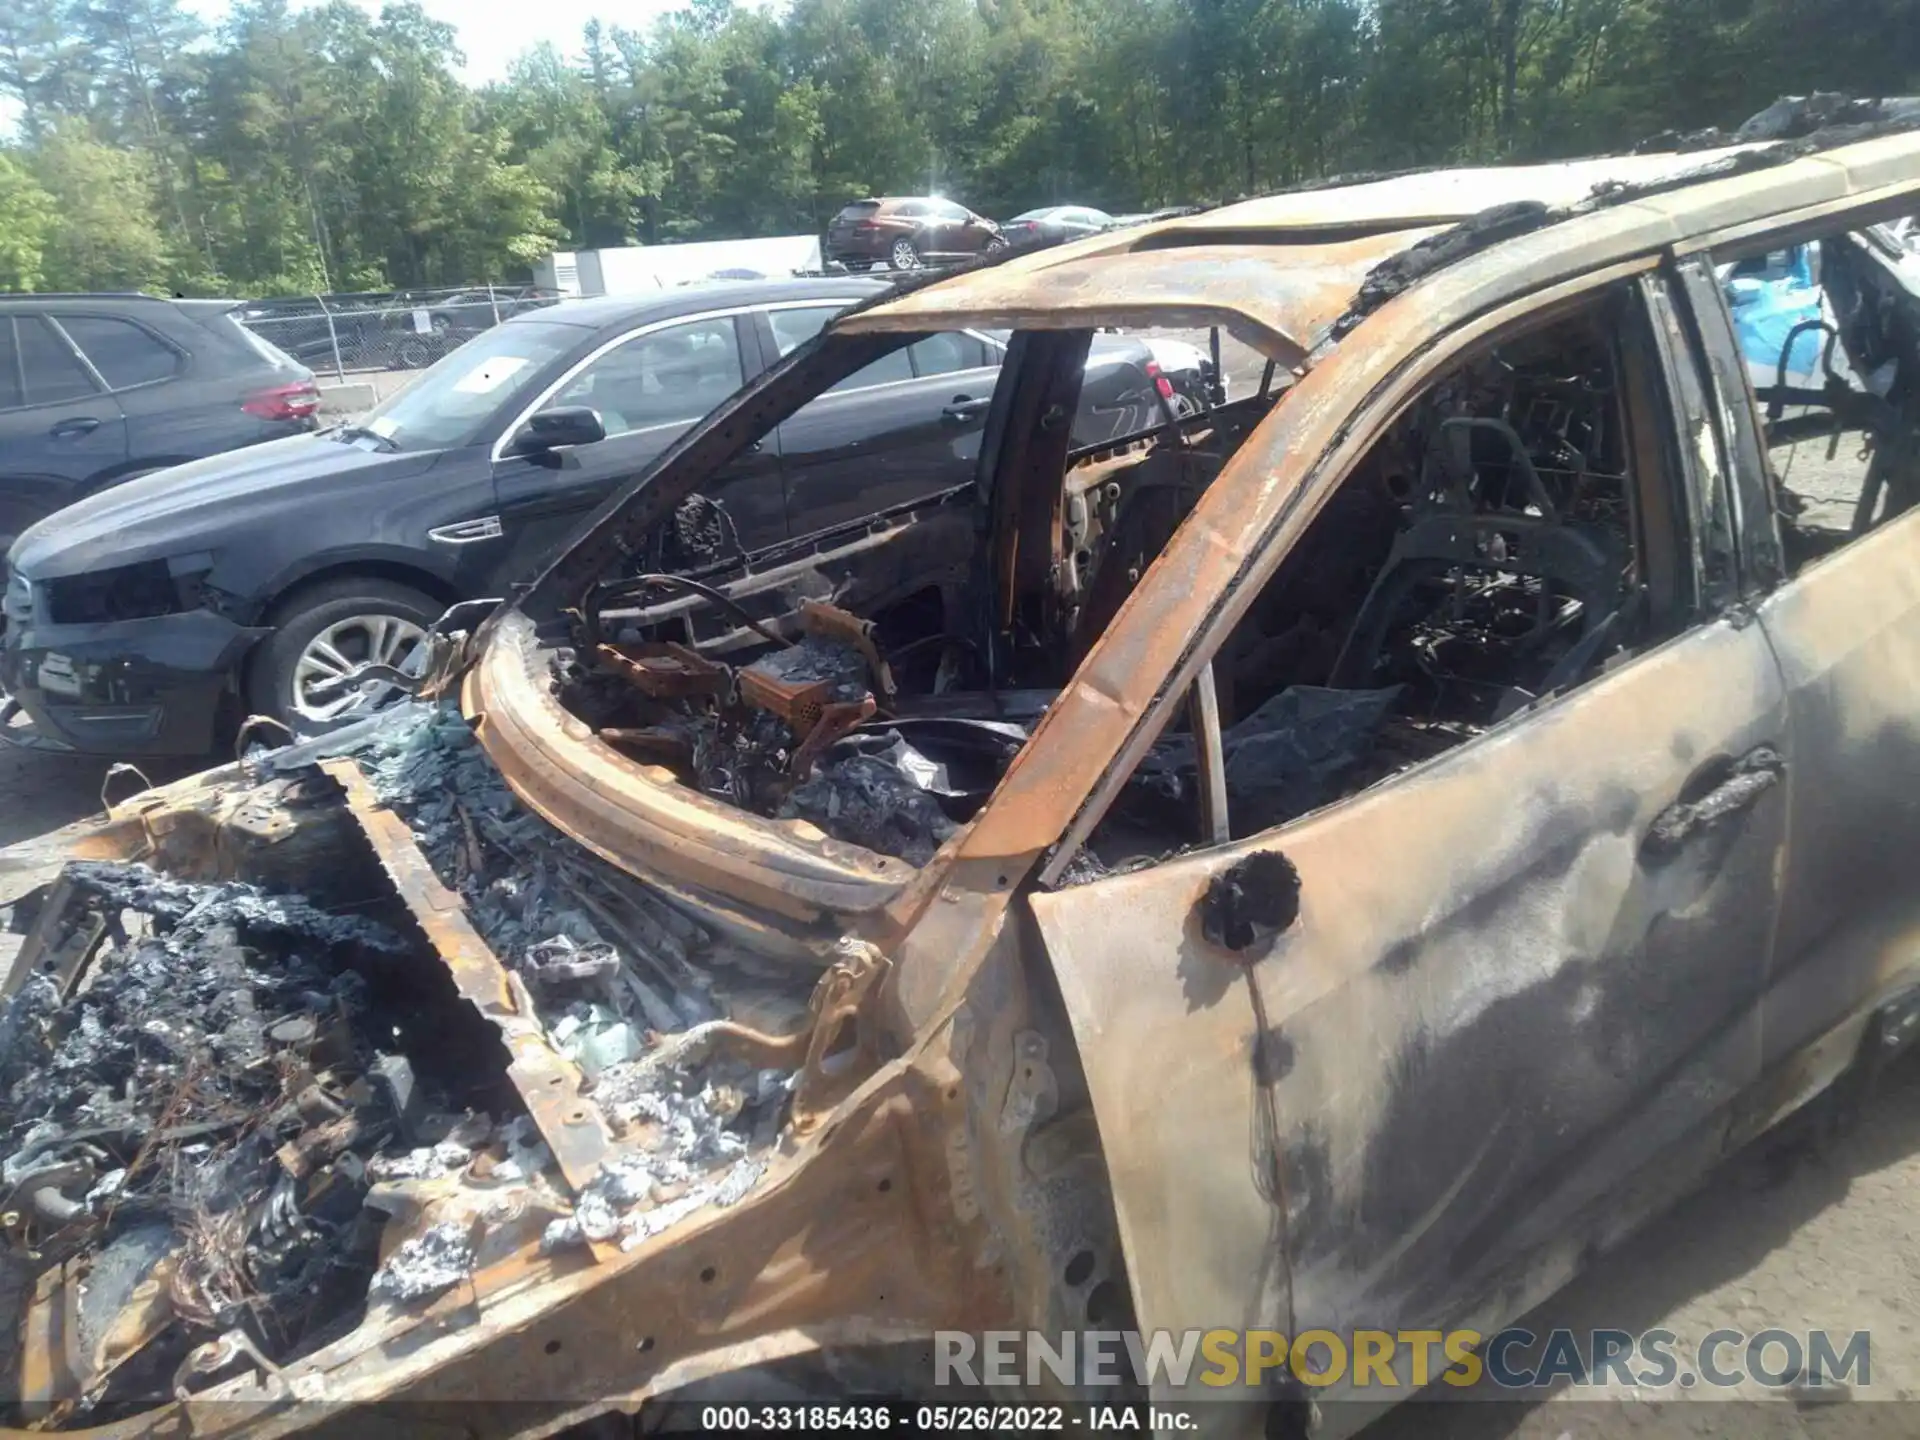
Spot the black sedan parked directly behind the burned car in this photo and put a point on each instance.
(151, 619)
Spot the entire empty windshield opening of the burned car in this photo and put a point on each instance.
(875, 671)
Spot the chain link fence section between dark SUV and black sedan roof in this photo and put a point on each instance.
(385, 331)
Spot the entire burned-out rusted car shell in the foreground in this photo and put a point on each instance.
(1335, 861)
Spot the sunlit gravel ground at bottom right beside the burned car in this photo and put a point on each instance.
(1794, 1234)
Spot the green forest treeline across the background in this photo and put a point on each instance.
(325, 149)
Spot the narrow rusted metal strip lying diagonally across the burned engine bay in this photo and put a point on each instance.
(550, 1084)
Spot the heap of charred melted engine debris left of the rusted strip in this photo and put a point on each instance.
(201, 1088)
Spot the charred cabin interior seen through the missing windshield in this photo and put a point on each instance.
(876, 679)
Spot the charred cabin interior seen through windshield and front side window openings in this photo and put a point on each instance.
(876, 683)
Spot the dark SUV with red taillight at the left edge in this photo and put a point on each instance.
(101, 389)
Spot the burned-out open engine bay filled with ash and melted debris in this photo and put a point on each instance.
(235, 1122)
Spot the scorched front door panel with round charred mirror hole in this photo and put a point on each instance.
(1495, 1005)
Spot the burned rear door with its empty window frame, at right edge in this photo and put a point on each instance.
(1846, 631)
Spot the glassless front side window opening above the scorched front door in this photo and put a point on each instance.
(1487, 554)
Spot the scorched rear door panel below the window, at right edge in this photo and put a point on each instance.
(1848, 636)
